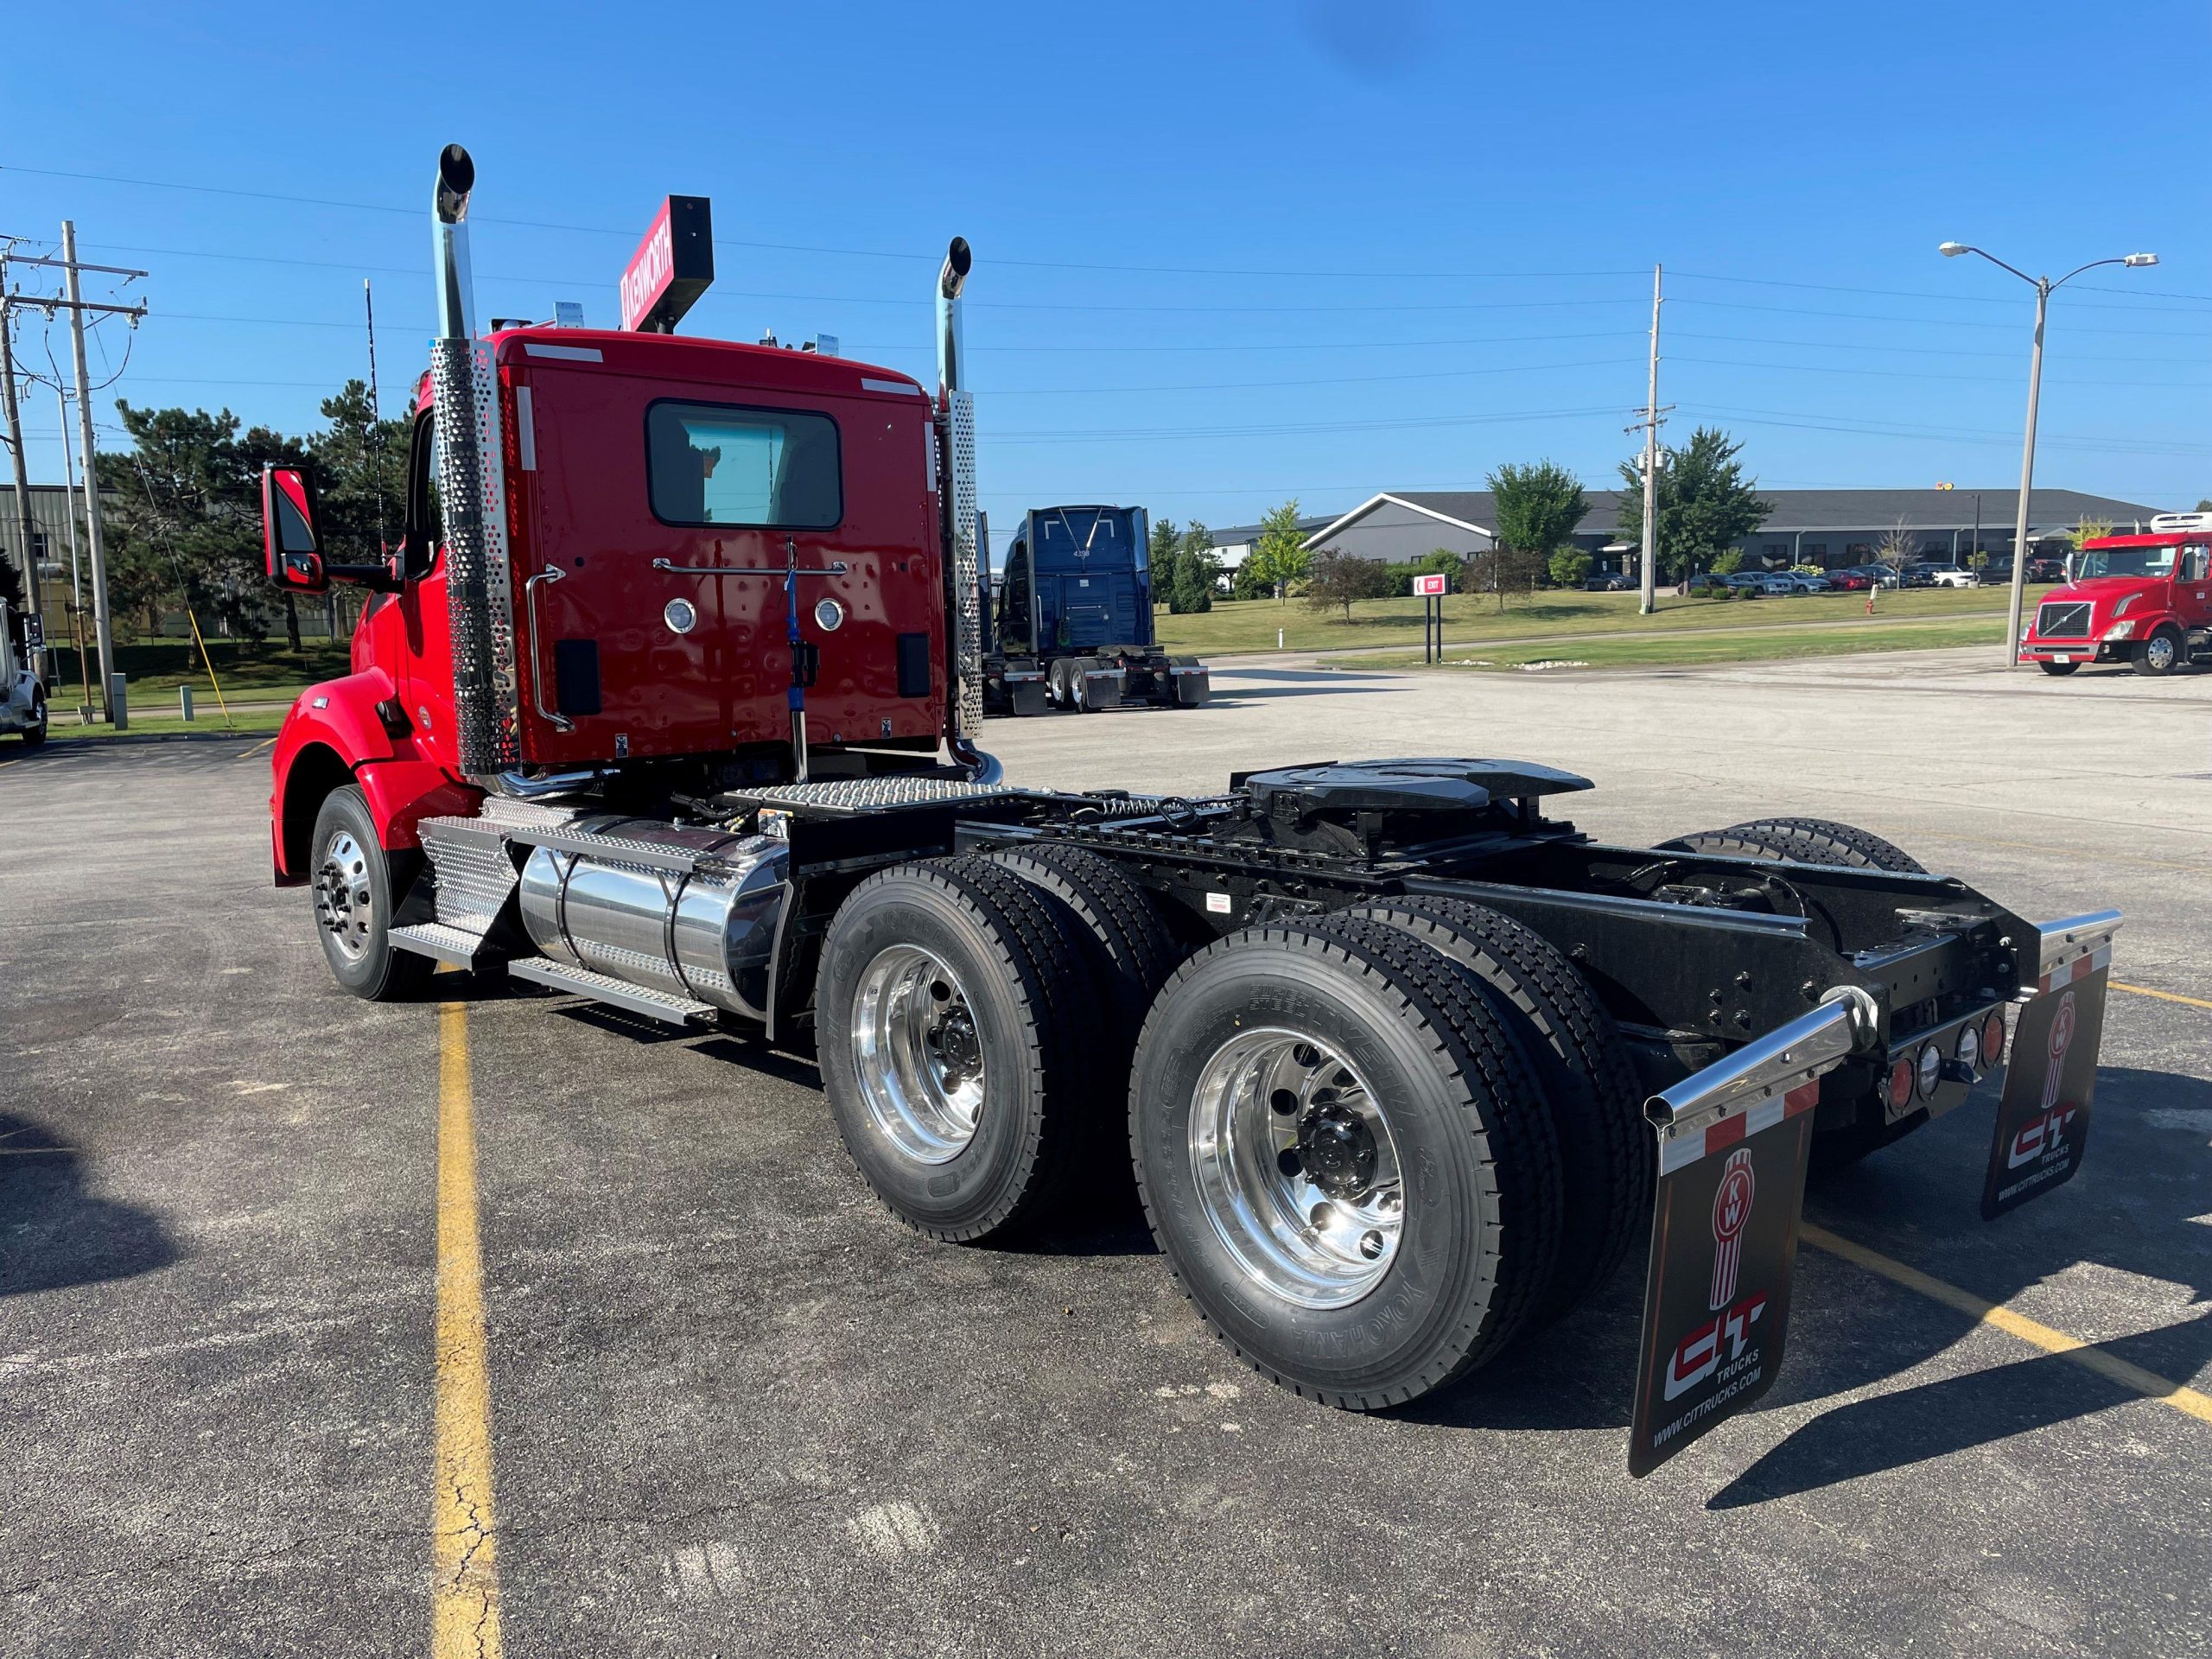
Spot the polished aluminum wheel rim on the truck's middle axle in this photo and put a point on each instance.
(917, 1054)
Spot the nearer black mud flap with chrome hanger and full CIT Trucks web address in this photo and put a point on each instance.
(1735, 1142)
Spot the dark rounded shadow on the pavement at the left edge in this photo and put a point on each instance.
(54, 1231)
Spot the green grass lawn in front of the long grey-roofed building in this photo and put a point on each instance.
(1249, 625)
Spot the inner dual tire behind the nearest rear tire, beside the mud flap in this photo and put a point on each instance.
(1607, 1151)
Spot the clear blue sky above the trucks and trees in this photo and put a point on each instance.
(1227, 253)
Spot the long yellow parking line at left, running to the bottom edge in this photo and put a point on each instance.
(466, 1583)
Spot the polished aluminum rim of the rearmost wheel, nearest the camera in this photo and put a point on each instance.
(1297, 1169)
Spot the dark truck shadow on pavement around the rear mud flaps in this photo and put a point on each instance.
(2129, 1215)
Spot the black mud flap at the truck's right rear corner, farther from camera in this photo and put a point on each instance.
(2052, 1081)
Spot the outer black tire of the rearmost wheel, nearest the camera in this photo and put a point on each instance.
(1468, 1125)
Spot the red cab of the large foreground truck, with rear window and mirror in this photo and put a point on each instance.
(689, 528)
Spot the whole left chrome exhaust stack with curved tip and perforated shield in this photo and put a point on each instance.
(472, 494)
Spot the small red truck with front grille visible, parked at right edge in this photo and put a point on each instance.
(2142, 601)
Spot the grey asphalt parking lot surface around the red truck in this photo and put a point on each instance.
(738, 1410)
